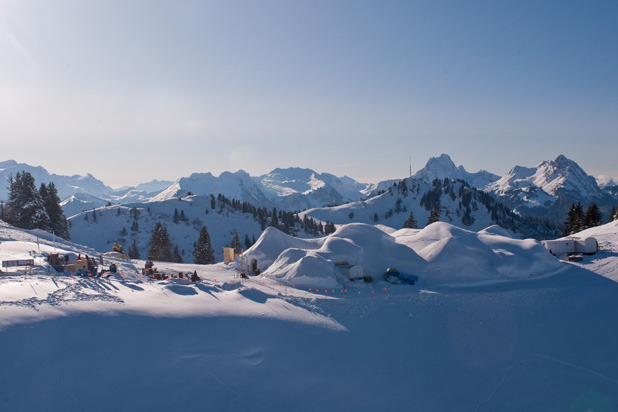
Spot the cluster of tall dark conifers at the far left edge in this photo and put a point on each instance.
(29, 208)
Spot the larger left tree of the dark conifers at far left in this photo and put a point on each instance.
(25, 208)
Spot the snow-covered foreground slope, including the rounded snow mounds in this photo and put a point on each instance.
(494, 323)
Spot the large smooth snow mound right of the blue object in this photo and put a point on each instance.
(455, 255)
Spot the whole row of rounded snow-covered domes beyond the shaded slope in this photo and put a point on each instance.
(439, 254)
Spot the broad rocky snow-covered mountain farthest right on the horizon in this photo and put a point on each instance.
(548, 190)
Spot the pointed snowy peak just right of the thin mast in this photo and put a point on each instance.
(443, 167)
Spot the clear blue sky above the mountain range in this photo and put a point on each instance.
(135, 90)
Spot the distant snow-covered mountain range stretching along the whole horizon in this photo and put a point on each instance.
(545, 191)
